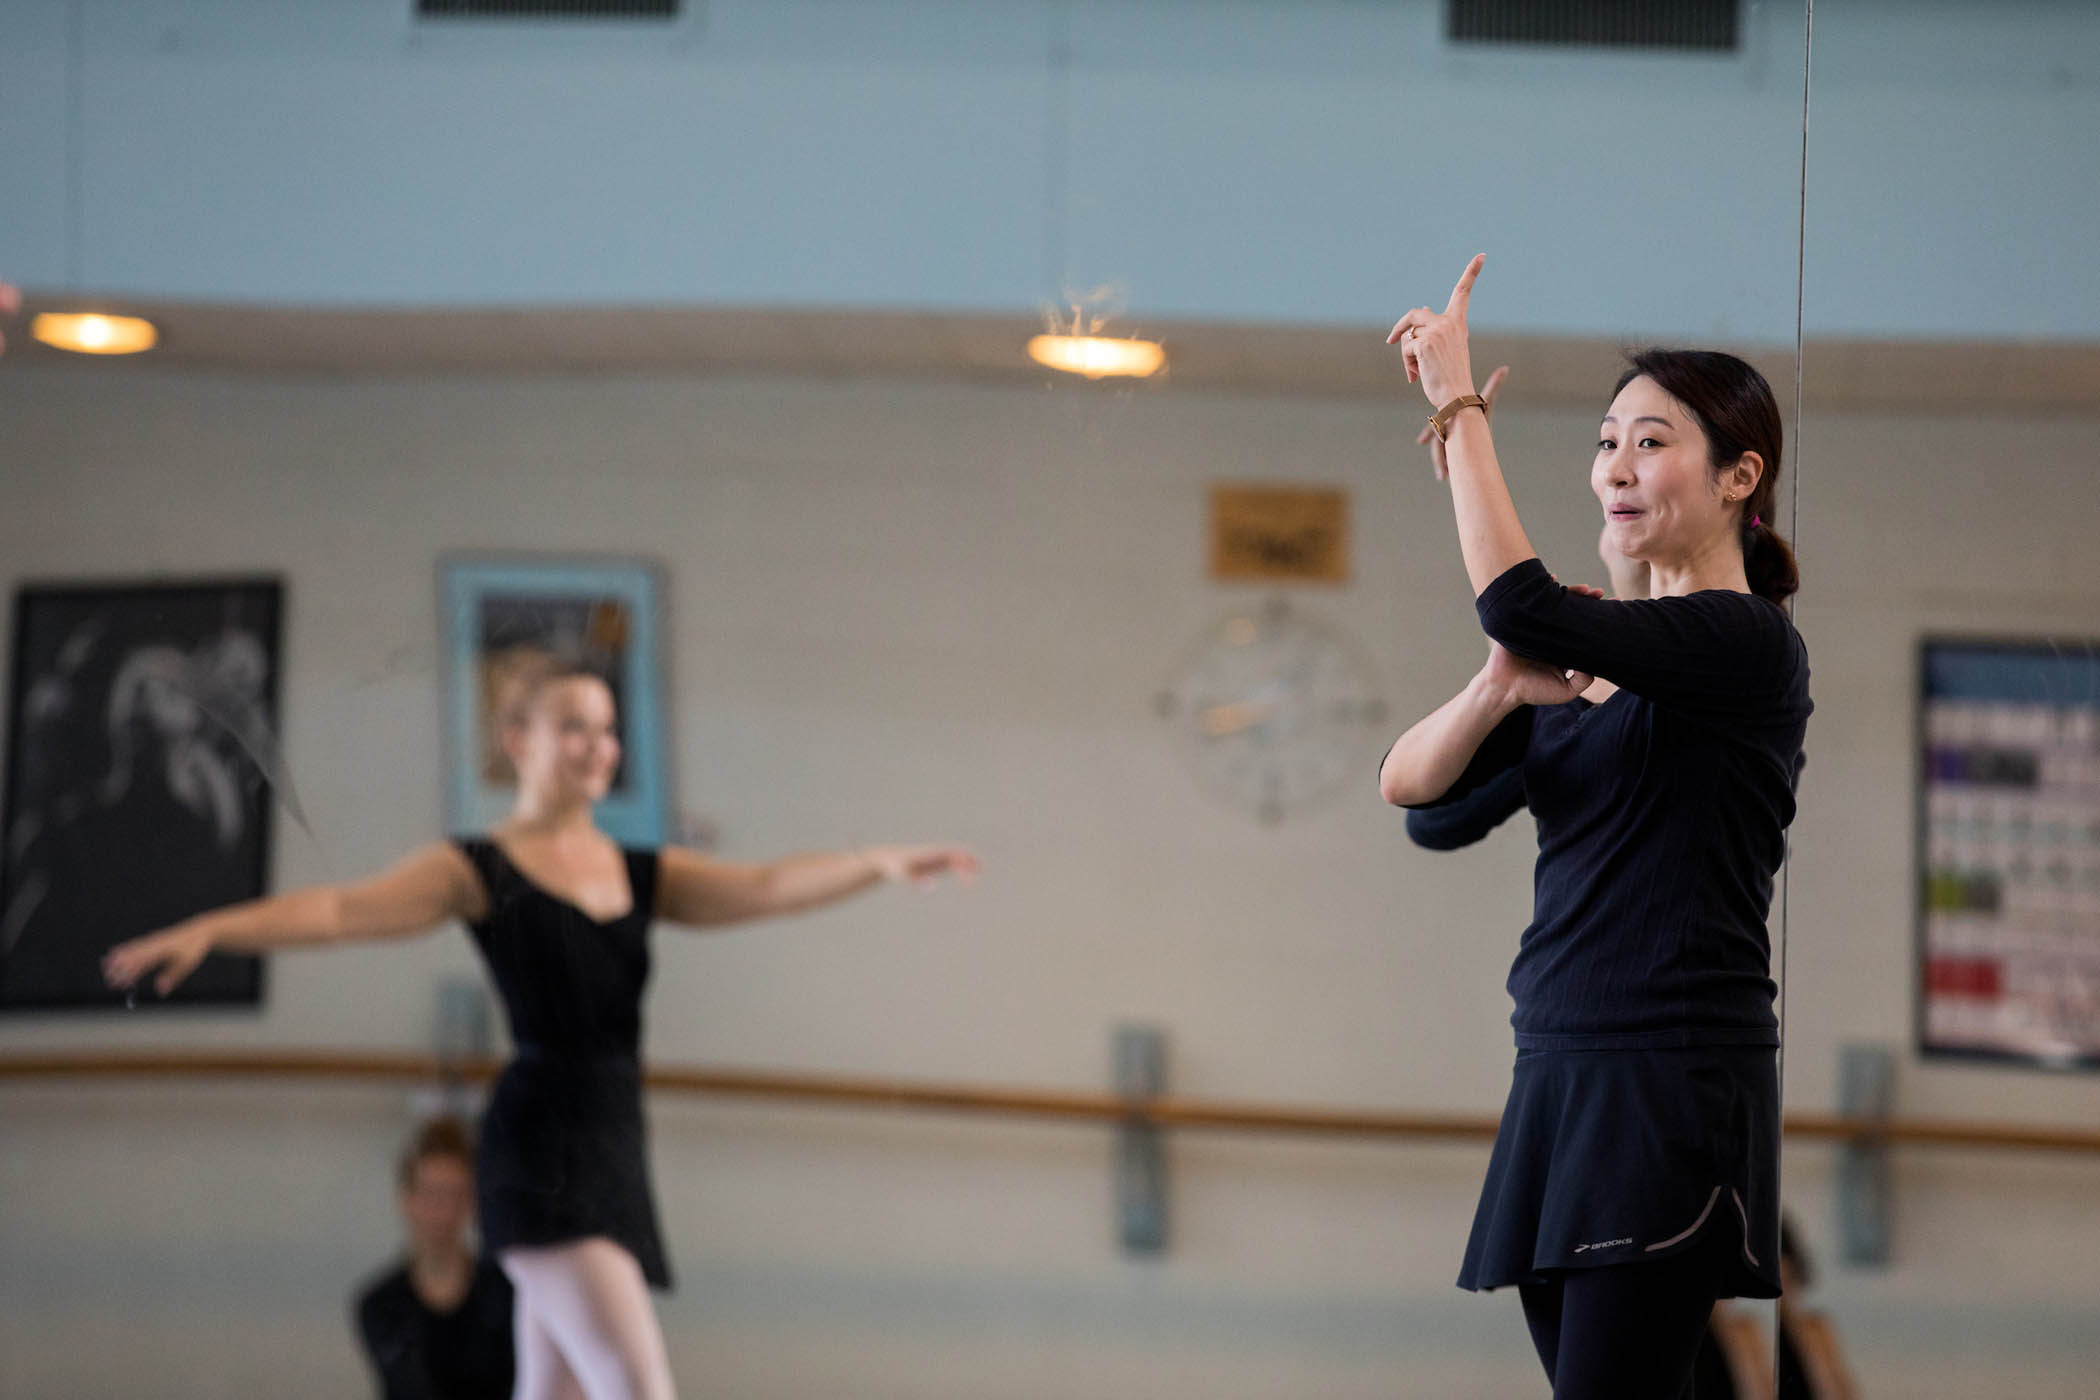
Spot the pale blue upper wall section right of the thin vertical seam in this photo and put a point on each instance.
(1954, 173)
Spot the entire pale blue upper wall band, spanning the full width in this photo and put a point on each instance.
(1276, 161)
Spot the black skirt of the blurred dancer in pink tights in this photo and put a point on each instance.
(564, 1158)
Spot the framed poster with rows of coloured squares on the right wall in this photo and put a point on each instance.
(2009, 851)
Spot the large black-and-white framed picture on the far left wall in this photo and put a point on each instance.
(142, 757)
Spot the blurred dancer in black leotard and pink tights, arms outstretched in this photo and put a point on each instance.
(562, 916)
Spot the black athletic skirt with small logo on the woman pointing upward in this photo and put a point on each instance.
(1626, 1155)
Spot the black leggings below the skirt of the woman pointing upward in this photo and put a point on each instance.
(1626, 1332)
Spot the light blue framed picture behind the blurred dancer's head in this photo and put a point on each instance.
(503, 614)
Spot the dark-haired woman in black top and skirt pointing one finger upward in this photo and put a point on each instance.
(1635, 1174)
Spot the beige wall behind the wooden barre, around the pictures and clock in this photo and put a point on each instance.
(917, 610)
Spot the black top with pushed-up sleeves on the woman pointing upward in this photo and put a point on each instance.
(1662, 811)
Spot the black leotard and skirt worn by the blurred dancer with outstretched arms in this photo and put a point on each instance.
(564, 1153)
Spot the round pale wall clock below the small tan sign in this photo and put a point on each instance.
(1278, 710)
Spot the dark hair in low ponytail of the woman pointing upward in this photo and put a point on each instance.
(1738, 412)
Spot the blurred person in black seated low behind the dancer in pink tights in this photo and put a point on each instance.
(438, 1325)
